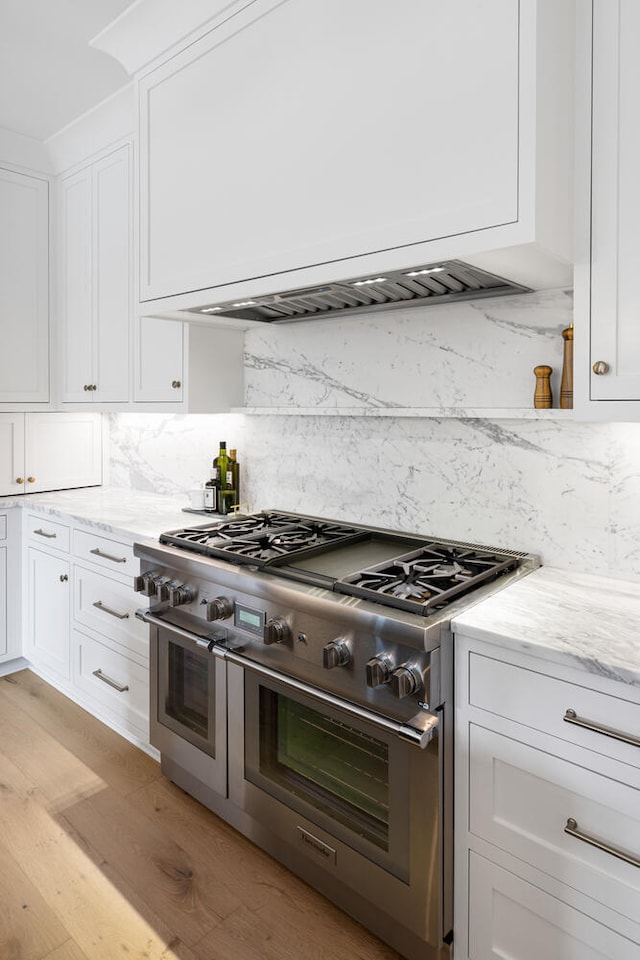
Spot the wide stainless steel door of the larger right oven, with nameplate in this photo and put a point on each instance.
(350, 806)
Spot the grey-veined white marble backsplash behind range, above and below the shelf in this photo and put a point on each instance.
(567, 491)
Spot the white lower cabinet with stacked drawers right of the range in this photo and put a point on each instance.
(547, 861)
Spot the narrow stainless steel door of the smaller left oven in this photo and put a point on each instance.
(188, 708)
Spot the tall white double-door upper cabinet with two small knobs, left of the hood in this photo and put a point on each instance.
(95, 280)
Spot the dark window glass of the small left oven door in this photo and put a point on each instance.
(187, 691)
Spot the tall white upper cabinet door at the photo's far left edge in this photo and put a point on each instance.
(24, 288)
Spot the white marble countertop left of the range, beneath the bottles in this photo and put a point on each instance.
(126, 513)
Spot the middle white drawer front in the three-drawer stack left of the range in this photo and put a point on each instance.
(108, 607)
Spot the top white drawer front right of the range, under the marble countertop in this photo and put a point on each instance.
(541, 702)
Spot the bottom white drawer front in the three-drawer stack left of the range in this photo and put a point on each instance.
(108, 677)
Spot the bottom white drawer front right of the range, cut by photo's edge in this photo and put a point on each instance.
(509, 917)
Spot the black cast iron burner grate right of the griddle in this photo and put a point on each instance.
(425, 579)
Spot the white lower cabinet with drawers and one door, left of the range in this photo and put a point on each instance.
(82, 634)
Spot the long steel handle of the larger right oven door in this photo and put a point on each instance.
(420, 729)
